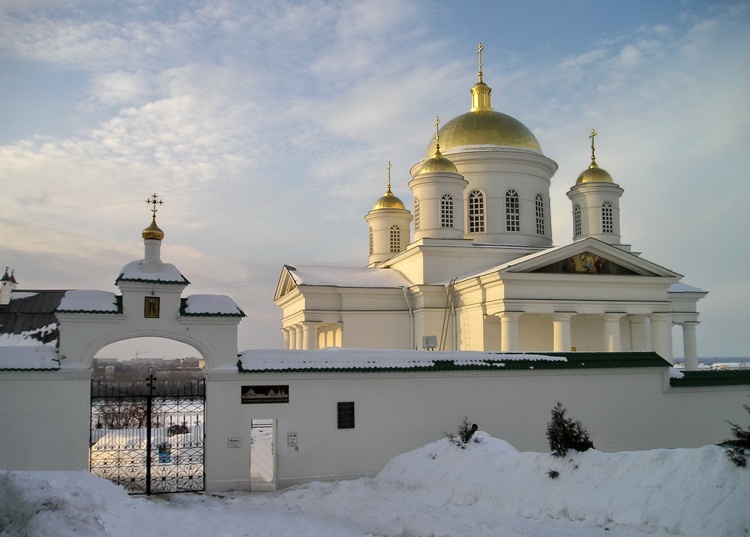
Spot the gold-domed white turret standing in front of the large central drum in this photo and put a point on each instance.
(438, 191)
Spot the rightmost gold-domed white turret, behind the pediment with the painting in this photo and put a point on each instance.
(596, 203)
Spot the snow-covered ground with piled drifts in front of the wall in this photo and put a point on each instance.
(487, 489)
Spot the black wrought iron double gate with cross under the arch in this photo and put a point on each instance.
(149, 437)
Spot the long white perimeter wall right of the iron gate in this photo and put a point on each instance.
(624, 409)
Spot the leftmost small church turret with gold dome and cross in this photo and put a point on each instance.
(389, 226)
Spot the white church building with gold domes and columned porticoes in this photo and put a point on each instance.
(481, 271)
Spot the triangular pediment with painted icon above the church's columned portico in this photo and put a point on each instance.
(587, 256)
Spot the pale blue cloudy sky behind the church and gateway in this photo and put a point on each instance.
(266, 127)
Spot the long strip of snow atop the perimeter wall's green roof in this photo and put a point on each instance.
(337, 358)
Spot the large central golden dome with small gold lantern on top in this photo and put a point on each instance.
(482, 126)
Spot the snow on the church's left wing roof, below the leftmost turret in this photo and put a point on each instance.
(347, 276)
